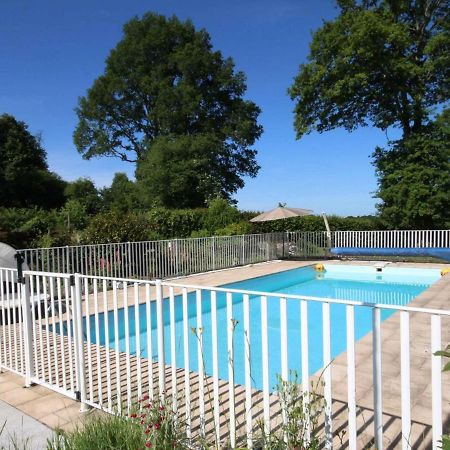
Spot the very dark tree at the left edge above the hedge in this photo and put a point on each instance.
(25, 179)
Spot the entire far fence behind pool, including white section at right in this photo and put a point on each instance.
(178, 257)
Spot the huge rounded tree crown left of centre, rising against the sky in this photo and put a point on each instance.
(162, 82)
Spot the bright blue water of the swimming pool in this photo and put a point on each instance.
(360, 283)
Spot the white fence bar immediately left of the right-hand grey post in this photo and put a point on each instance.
(351, 393)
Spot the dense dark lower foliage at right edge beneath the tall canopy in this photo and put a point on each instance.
(414, 178)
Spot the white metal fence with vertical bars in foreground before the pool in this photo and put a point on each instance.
(215, 352)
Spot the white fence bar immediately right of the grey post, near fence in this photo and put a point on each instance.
(405, 379)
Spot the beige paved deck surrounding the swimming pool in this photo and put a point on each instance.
(56, 410)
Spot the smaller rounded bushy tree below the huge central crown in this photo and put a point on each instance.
(188, 171)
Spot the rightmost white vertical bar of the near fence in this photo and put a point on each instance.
(436, 380)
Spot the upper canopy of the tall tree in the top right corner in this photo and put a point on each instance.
(380, 62)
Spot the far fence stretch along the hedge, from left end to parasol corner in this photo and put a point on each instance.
(157, 259)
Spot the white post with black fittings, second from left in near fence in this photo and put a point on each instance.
(79, 342)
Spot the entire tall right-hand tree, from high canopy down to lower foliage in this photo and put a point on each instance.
(385, 63)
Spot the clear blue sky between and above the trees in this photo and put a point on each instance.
(51, 51)
